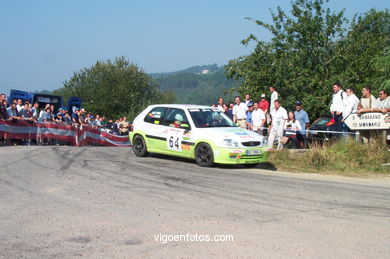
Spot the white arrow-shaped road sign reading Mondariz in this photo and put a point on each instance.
(368, 121)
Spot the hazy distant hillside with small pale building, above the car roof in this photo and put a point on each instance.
(192, 87)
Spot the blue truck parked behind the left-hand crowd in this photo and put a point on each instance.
(43, 99)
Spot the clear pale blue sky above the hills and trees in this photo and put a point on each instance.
(43, 42)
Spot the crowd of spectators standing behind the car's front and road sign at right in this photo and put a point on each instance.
(271, 119)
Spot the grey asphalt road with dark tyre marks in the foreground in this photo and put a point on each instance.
(106, 203)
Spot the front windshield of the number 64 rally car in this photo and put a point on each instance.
(208, 117)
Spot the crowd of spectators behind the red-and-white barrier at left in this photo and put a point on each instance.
(19, 110)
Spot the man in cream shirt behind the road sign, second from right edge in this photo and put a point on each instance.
(367, 104)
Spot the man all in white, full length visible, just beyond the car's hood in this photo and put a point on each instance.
(279, 116)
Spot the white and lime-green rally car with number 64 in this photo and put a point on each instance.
(198, 132)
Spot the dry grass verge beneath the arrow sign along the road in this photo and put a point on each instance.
(345, 157)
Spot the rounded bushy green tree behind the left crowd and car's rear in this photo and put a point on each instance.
(114, 89)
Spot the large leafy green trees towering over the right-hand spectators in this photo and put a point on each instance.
(310, 49)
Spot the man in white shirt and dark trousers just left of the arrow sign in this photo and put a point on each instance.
(337, 105)
